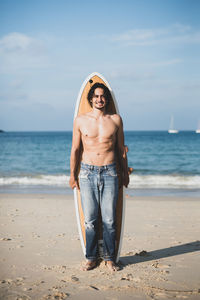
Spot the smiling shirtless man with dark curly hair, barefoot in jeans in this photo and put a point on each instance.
(99, 135)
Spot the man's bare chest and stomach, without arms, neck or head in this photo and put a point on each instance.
(98, 137)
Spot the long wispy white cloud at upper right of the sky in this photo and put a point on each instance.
(177, 33)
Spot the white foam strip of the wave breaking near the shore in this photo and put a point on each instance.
(136, 181)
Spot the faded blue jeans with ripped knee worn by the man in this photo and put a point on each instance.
(99, 190)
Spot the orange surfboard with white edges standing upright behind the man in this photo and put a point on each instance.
(82, 106)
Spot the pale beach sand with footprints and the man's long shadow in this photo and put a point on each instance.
(41, 253)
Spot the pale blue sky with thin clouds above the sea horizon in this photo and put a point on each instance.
(148, 51)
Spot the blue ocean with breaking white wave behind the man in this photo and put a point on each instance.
(164, 164)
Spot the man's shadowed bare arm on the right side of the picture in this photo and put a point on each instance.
(121, 150)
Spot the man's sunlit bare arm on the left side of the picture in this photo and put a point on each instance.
(75, 155)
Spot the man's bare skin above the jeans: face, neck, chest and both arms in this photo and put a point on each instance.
(101, 135)
